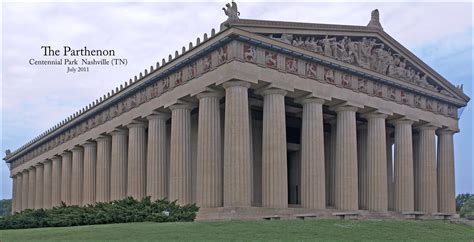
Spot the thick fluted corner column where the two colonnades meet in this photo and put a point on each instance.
(237, 157)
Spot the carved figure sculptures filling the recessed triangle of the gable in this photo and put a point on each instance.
(368, 53)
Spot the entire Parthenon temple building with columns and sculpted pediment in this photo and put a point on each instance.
(261, 119)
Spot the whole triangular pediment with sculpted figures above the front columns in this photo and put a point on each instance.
(366, 47)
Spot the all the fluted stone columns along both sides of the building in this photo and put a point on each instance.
(128, 163)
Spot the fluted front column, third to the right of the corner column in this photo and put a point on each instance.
(346, 159)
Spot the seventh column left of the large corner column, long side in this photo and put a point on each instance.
(90, 162)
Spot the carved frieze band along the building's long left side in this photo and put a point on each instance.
(180, 77)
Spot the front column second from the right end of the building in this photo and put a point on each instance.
(427, 170)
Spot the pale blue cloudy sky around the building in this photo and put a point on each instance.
(35, 98)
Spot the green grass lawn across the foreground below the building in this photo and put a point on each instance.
(254, 230)
